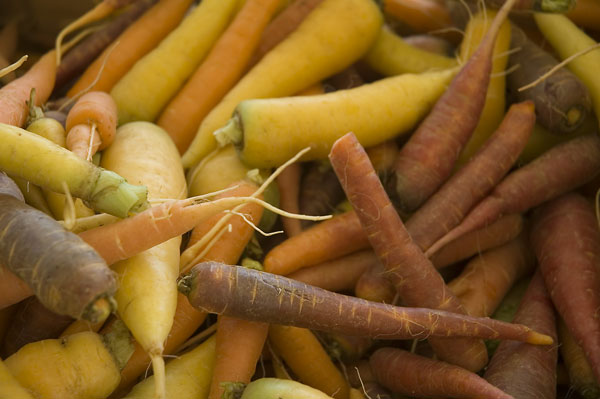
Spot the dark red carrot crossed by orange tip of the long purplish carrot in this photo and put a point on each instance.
(527, 371)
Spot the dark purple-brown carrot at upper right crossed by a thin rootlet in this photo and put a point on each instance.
(562, 101)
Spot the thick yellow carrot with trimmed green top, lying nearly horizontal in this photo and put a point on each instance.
(370, 111)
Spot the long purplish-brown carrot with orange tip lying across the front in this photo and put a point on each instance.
(254, 295)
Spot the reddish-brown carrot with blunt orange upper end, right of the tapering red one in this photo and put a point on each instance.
(447, 207)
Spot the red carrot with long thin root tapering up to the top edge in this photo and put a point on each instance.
(422, 166)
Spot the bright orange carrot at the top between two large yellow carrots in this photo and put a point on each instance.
(217, 74)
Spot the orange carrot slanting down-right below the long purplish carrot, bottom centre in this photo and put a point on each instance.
(308, 360)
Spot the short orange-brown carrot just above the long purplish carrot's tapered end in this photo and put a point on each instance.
(487, 278)
